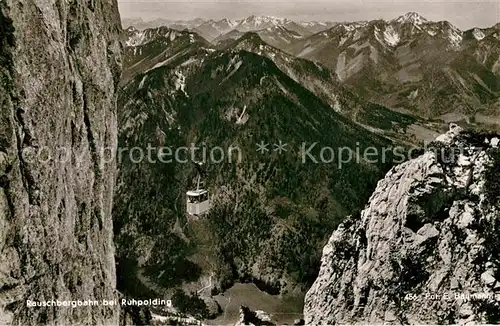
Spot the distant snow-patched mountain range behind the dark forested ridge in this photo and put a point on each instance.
(409, 64)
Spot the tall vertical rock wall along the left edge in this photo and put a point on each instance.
(59, 66)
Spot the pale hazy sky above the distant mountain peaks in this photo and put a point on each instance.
(463, 14)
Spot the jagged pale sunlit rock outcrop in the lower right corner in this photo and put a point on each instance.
(425, 249)
